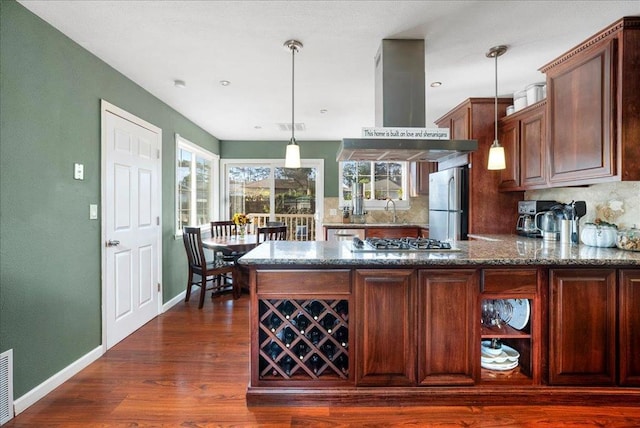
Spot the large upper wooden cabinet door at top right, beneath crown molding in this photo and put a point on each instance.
(582, 129)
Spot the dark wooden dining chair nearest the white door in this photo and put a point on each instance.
(207, 271)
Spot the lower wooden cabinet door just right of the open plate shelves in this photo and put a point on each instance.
(582, 341)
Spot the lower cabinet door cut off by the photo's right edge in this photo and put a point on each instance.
(629, 322)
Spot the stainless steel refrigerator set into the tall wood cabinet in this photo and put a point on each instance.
(449, 204)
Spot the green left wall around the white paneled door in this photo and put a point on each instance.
(50, 291)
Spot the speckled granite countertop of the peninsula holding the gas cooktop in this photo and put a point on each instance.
(481, 250)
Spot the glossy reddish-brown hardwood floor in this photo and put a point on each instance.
(189, 368)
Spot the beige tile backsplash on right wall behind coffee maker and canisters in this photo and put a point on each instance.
(617, 202)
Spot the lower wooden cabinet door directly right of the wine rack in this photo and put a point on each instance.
(385, 327)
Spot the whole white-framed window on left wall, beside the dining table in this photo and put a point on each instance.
(196, 184)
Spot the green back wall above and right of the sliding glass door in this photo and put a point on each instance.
(326, 150)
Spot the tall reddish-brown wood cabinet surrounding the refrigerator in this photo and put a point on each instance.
(474, 119)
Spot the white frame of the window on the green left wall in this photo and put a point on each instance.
(182, 143)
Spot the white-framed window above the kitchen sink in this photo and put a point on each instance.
(381, 180)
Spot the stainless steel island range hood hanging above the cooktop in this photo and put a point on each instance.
(400, 102)
